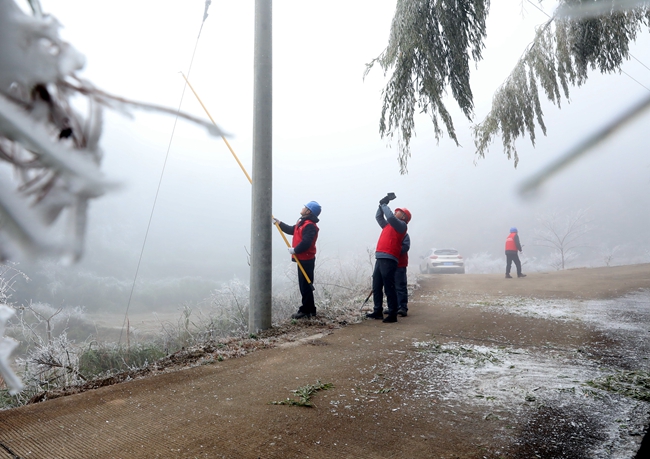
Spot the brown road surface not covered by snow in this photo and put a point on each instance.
(376, 408)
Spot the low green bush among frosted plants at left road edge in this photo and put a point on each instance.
(113, 359)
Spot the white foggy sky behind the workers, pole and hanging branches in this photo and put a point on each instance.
(326, 145)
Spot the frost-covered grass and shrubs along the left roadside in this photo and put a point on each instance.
(60, 347)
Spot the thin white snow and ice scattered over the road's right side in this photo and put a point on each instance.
(527, 387)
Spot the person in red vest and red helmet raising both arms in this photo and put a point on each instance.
(387, 253)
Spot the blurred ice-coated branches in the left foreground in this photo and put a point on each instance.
(53, 149)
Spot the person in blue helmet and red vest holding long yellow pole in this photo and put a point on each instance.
(303, 249)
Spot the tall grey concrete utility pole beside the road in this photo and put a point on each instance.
(259, 312)
